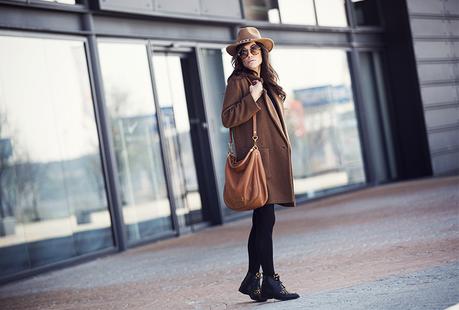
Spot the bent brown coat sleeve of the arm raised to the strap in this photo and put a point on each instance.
(237, 108)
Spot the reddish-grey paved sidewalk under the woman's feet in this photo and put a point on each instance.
(391, 247)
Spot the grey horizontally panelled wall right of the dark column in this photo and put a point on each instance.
(435, 34)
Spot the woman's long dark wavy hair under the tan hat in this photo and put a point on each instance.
(267, 72)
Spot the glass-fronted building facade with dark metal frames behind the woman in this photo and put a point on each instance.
(110, 128)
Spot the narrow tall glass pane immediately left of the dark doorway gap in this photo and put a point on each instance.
(176, 124)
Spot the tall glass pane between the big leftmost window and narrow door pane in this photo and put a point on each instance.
(129, 98)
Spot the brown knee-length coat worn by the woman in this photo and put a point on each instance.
(273, 141)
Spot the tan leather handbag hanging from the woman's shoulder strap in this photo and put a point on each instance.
(245, 180)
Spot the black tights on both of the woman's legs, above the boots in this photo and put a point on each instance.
(260, 243)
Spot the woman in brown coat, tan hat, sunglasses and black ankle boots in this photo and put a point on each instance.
(252, 88)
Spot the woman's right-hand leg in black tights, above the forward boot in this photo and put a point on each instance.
(264, 224)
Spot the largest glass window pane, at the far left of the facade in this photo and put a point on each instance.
(53, 203)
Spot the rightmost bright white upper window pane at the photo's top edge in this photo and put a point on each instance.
(331, 13)
